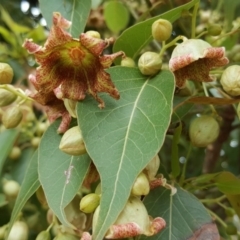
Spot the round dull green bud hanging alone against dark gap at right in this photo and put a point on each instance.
(203, 131)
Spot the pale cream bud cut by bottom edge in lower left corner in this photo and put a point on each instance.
(19, 231)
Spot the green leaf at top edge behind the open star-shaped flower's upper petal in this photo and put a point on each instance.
(73, 10)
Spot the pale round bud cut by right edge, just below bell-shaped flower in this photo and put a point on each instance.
(230, 80)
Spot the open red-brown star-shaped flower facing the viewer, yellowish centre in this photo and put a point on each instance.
(70, 68)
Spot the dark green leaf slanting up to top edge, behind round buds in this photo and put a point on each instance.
(132, 40)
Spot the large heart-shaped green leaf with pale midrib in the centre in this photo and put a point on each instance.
(123, 137)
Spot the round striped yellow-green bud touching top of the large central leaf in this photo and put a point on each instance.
(149, 63)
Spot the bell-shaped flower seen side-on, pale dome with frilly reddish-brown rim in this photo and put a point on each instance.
(193, 59)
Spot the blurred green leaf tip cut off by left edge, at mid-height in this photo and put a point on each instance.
(7, 139)
